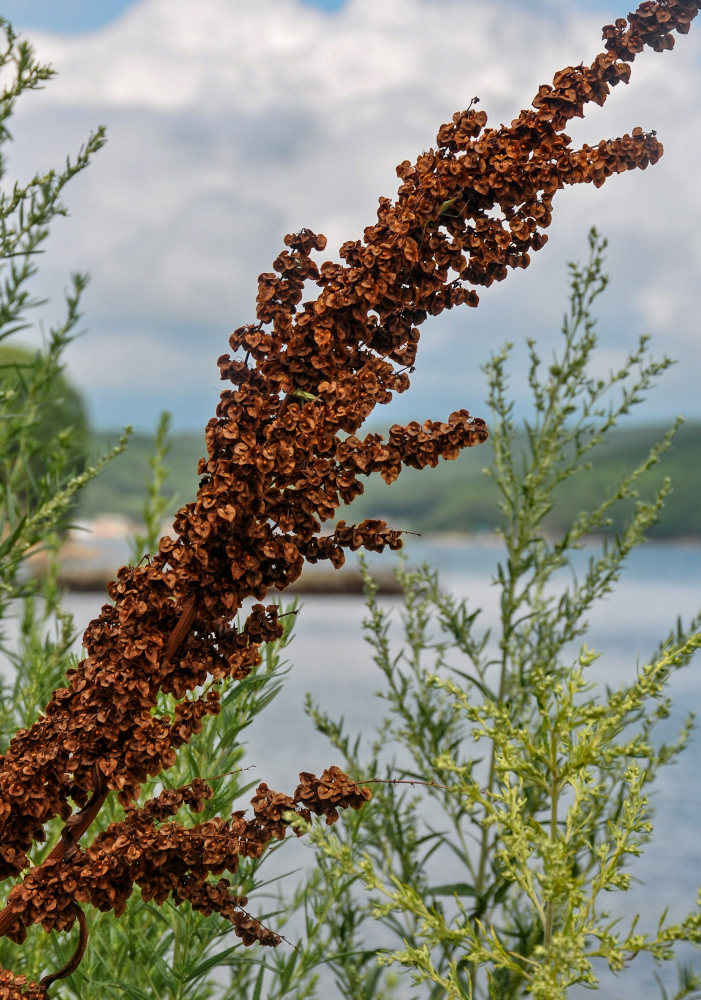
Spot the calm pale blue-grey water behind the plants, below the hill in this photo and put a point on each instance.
(329, 658)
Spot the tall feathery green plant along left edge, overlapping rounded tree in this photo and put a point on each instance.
(42, 460)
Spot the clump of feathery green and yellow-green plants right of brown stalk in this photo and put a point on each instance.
(532, 782)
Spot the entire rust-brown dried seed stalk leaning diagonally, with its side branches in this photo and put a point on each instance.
(283, 455)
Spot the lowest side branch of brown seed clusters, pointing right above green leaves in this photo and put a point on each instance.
(166, 859)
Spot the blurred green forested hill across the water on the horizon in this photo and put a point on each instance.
(454, 497)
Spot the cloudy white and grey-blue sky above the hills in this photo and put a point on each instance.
(233, 122)
